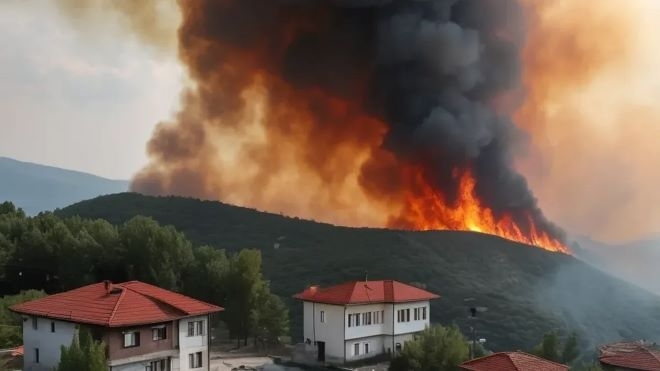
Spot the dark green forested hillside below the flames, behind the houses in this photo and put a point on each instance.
(528, 291)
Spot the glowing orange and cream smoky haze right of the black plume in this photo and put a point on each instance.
(591, 73)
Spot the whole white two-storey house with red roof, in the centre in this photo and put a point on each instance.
(362, 319)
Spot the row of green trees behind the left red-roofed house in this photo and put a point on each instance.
(56, 254)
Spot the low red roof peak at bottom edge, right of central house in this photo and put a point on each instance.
(512, 361)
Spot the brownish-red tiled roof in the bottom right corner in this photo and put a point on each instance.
(634, 356)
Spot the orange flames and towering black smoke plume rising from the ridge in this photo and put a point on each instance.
(389, 113)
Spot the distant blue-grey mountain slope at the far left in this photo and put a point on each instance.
(36, 188)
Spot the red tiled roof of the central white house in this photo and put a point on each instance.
(365, 292)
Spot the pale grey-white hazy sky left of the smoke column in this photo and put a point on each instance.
(85, 103)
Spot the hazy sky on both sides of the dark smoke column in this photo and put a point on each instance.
(88, 98)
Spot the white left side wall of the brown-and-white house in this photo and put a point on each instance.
(49, 343)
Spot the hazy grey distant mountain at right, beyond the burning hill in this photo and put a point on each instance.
(636, 262)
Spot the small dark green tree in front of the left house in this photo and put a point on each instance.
(84, 354)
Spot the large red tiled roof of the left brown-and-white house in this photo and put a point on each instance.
(123, 304)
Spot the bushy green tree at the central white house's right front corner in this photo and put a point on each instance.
(437, 348)
